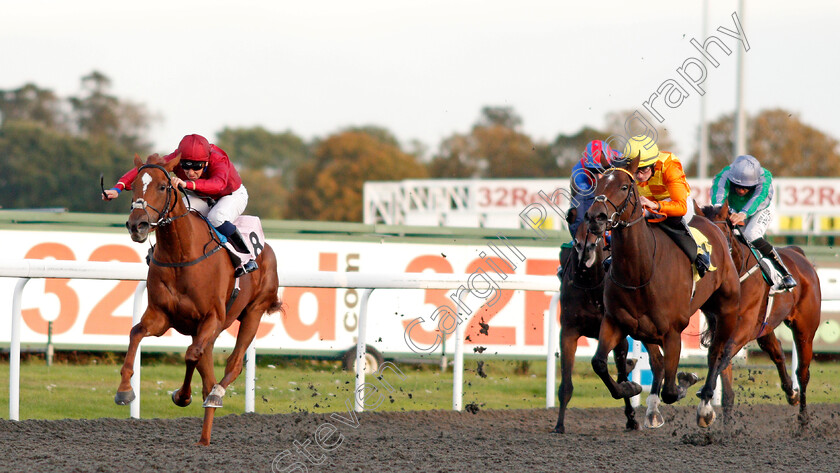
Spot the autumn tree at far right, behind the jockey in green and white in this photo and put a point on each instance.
(780, 141)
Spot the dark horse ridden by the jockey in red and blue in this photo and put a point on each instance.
(582, 308)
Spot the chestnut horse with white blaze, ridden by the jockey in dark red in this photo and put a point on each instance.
(191, 288)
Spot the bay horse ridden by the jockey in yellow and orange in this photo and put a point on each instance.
(650, 295)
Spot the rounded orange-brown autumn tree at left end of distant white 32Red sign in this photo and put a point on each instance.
(329, 186)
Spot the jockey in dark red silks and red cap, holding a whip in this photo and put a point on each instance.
(208, 176)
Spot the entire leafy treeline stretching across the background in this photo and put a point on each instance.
(53, 149)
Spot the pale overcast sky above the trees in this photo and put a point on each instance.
(422, 69)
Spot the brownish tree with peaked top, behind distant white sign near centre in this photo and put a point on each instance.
(493, 148)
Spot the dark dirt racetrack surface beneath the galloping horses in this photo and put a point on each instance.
(760, 438)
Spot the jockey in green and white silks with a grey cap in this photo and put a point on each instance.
(748, 189)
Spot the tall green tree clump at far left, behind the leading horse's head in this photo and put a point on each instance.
(53, 149)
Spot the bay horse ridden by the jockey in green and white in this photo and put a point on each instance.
(799, 309)
